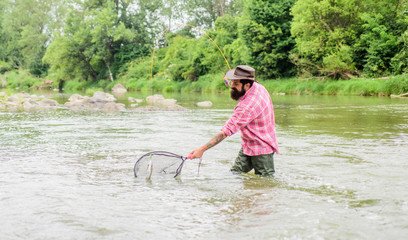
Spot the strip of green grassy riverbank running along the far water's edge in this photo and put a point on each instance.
(212, 83)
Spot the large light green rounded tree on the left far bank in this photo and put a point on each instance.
(99, 38)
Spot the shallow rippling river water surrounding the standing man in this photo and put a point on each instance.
(342, 173)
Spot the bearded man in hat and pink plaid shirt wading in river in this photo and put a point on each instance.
(254, 117)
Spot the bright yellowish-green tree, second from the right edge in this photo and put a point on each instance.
(324, 31)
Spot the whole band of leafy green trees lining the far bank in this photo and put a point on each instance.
(89, 43)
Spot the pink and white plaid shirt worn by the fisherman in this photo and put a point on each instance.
(254, 116)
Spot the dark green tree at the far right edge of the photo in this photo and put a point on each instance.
(380, 40)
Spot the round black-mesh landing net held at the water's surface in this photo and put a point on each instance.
(159, 163)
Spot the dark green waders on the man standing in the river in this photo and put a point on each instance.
(262, 164)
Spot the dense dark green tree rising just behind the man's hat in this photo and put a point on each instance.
(265, 30)
